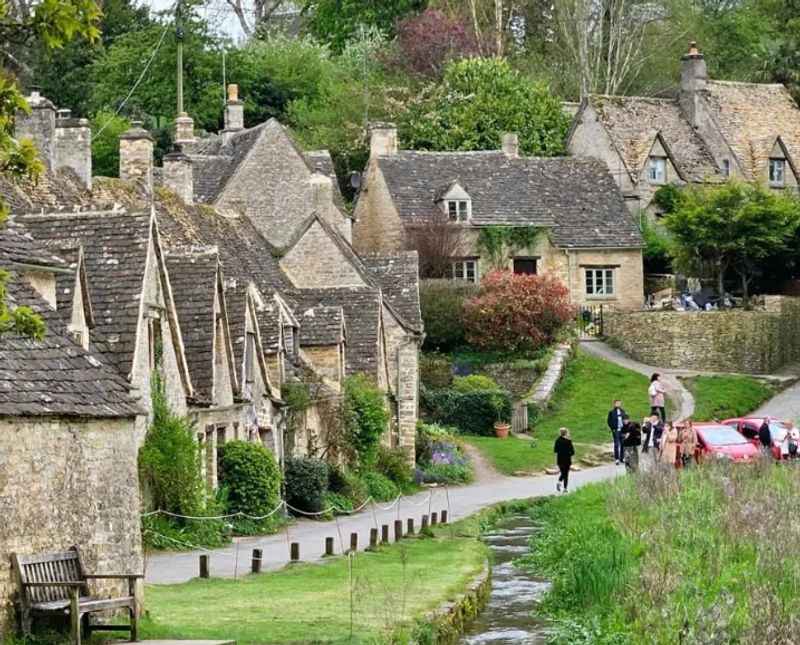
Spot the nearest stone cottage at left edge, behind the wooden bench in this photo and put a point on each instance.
(68, 436)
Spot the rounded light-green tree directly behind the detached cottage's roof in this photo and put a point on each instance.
(476, 102)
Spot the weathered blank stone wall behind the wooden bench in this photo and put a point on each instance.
(65, 483)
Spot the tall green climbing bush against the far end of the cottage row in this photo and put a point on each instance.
(365, 416)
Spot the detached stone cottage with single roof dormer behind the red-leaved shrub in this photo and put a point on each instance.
(577, 225)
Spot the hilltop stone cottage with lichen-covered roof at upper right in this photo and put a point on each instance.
(707, 132)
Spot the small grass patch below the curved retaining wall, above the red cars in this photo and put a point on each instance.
(723, 397)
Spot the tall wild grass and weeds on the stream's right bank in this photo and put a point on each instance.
(700, 556)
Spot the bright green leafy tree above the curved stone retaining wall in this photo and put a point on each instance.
(734, 227)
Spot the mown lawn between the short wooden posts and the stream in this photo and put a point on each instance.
(311, 602)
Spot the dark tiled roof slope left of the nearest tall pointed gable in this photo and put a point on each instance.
(115, 252)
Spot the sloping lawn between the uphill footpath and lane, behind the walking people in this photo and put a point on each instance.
(581, 402)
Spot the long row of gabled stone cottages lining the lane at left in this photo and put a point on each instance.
(229, 270)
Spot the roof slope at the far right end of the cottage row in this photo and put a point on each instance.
(398, 277)
